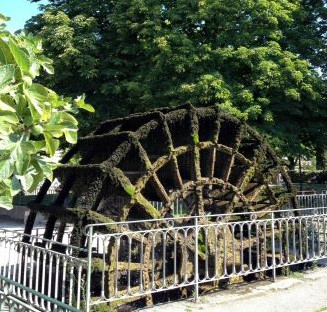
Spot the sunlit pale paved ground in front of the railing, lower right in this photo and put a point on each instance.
(301, 292)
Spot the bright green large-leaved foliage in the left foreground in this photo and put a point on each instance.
(33, 118)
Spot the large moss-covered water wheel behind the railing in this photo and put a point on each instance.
(138, 167)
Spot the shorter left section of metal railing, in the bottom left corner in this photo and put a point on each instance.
(39, 274)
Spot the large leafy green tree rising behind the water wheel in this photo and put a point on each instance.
(242, 55)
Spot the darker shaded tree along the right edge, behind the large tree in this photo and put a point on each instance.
(307, 37)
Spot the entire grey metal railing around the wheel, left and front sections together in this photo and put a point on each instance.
(127, 261)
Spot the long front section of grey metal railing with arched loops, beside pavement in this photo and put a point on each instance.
(146, 257)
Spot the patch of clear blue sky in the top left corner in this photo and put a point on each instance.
(19, 11)
